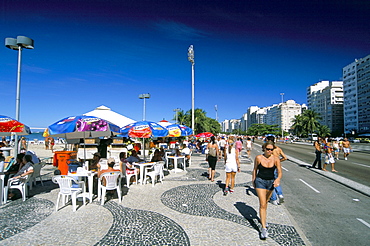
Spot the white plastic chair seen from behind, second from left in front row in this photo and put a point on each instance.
(112, 182)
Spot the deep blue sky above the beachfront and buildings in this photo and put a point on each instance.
(92, 53)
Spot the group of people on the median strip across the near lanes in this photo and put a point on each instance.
(331, 149)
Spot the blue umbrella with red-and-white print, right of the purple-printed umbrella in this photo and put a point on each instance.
(143, 129)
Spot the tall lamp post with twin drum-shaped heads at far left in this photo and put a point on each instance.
(18, 44)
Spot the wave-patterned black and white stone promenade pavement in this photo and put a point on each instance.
(186, 209)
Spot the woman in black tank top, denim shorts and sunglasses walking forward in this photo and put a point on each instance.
(264, 181)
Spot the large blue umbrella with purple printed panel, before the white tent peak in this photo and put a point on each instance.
(74, 127)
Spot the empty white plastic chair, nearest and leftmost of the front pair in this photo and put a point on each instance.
(66, 184)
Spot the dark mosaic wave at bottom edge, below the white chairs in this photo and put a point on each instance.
(139, 227)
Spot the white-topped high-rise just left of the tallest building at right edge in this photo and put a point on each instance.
(326, 99)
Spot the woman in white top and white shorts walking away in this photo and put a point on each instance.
(232, 165)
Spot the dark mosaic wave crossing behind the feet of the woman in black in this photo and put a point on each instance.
(197, 199)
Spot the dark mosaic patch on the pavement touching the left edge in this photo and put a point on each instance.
(17, 215)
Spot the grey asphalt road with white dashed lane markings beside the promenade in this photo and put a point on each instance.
(328, 212)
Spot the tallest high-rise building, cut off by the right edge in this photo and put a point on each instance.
(356, 86)
